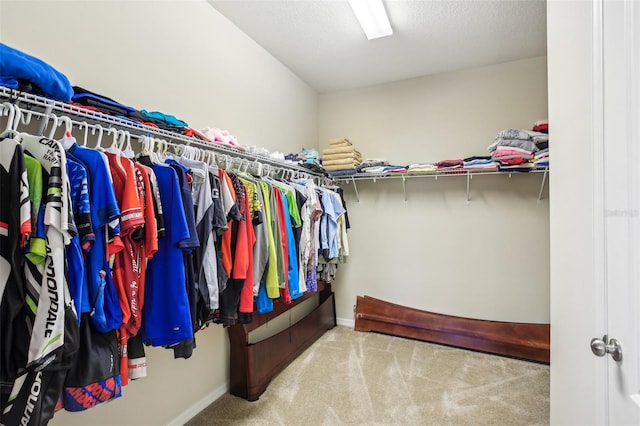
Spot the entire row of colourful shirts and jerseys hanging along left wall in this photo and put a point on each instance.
(126, 252)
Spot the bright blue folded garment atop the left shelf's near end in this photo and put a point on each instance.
(16, 66)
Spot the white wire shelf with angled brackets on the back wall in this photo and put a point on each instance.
(468, 174)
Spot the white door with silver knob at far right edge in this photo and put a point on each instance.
(621, 207)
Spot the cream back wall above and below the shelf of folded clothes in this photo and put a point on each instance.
(486, 260)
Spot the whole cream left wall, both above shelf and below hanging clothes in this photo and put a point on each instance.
(185, 59)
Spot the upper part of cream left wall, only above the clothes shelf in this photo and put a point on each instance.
(181, 57)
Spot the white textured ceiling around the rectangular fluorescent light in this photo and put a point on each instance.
(321, 41)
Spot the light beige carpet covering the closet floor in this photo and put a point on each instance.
(353, 378)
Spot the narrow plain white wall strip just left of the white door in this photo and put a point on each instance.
(574, 391)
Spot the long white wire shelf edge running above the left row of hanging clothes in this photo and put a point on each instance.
(60, 108)
